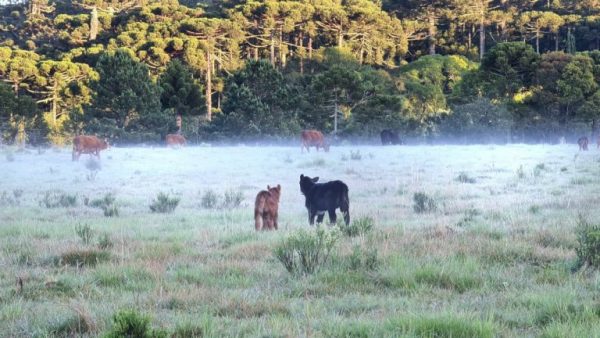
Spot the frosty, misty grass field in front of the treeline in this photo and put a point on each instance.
(491, 254)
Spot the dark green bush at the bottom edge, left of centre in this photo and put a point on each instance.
(129, 323)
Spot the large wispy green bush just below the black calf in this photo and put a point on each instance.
(305, 251)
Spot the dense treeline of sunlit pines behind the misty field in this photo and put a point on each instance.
(507, 70)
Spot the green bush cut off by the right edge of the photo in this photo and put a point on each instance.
(588, 244)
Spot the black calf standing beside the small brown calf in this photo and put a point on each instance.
(321, 197)
